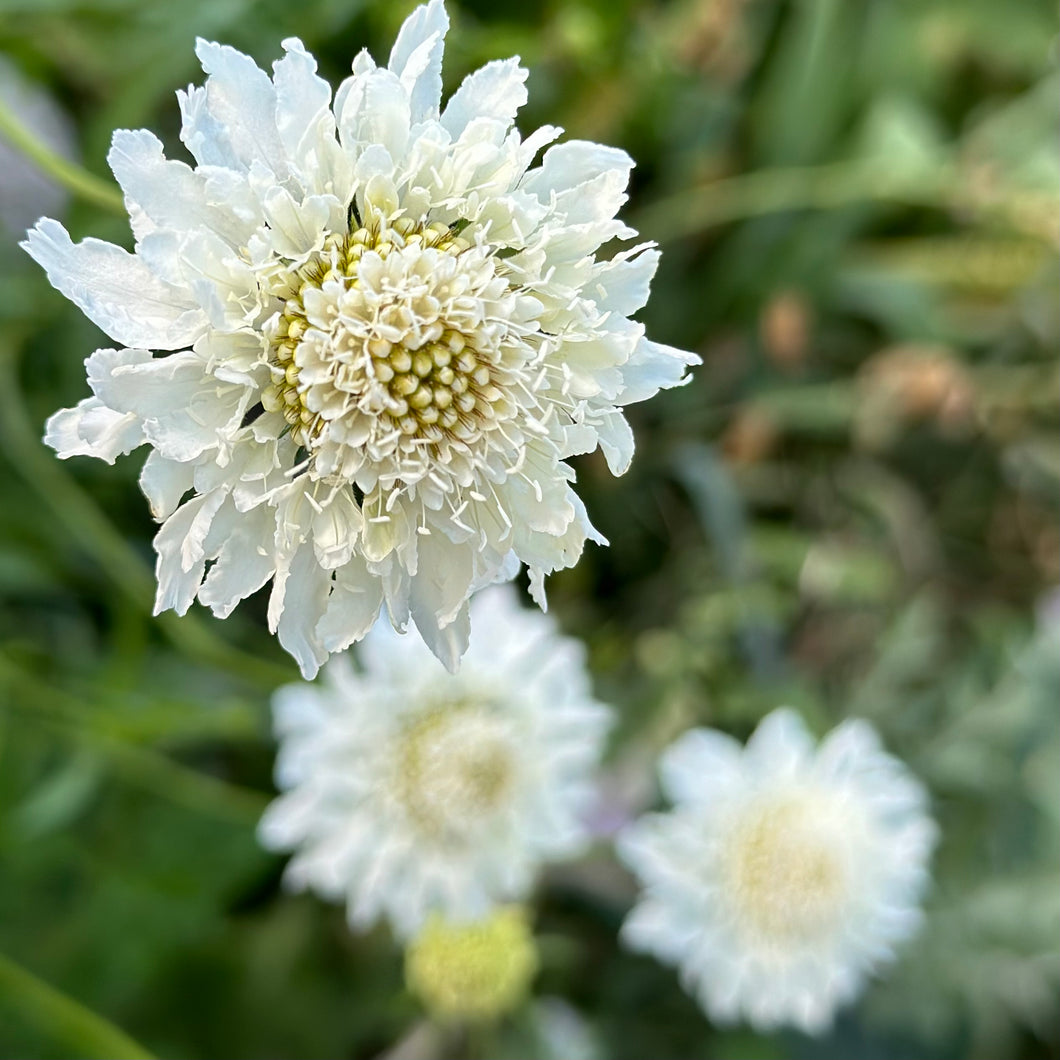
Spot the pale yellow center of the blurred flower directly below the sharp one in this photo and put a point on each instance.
(455, 769)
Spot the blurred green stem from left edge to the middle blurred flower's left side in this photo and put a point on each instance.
(138, 765)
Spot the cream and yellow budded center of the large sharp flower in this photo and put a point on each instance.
(385, 341)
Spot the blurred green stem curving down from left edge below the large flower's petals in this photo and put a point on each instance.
(75, 508)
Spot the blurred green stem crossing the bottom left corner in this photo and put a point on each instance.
(78, 1029)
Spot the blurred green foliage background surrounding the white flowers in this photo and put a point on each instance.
(854, 508)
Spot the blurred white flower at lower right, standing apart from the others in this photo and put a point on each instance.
(785, 874)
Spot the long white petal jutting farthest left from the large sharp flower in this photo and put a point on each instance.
(116, 291)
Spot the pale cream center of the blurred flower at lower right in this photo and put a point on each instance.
(784, 874)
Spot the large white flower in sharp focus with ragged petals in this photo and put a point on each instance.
(392, 332)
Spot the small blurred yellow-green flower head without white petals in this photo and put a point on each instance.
(473, 971)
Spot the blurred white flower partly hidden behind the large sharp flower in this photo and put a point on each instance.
(411, 791)
